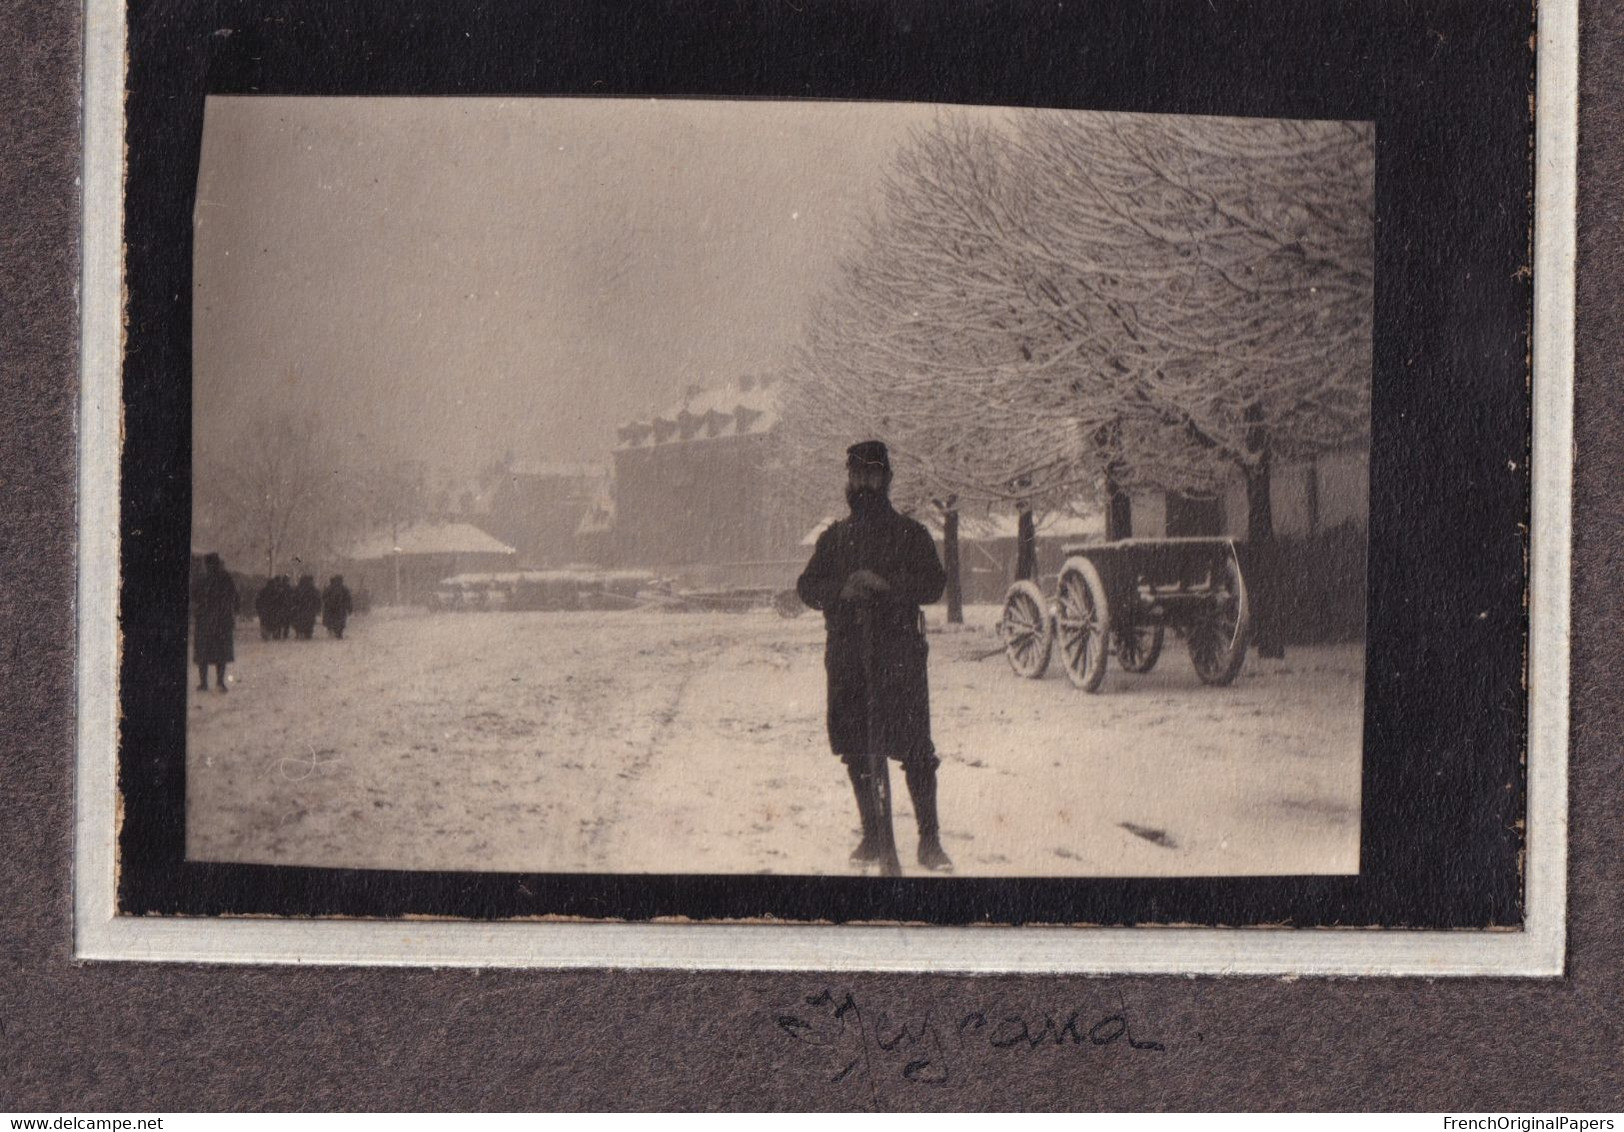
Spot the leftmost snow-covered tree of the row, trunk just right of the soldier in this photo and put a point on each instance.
(918, 343)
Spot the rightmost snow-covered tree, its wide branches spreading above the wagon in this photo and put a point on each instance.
(1224, 269)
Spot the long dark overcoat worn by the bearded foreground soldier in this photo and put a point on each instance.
(901, 551)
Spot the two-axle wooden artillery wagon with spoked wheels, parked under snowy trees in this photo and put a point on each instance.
(1121, 598)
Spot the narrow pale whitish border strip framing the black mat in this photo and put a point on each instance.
(1535, 951)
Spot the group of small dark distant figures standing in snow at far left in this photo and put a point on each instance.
(282, 607)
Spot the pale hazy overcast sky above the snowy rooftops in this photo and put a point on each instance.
(451, 279)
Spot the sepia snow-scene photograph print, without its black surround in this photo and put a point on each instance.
(792, 488)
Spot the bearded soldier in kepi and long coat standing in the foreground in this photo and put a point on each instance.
(870, 576)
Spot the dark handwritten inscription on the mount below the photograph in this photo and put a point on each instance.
(923, 1050)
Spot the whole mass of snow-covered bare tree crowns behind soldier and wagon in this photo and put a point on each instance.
(1076, 305)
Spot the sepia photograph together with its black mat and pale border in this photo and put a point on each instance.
(855, 491)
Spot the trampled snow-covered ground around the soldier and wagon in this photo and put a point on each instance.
(694, 743)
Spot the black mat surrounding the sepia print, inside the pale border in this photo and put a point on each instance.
(1448, 89)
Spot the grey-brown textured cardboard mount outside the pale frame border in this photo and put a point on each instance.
(147, 1037)
